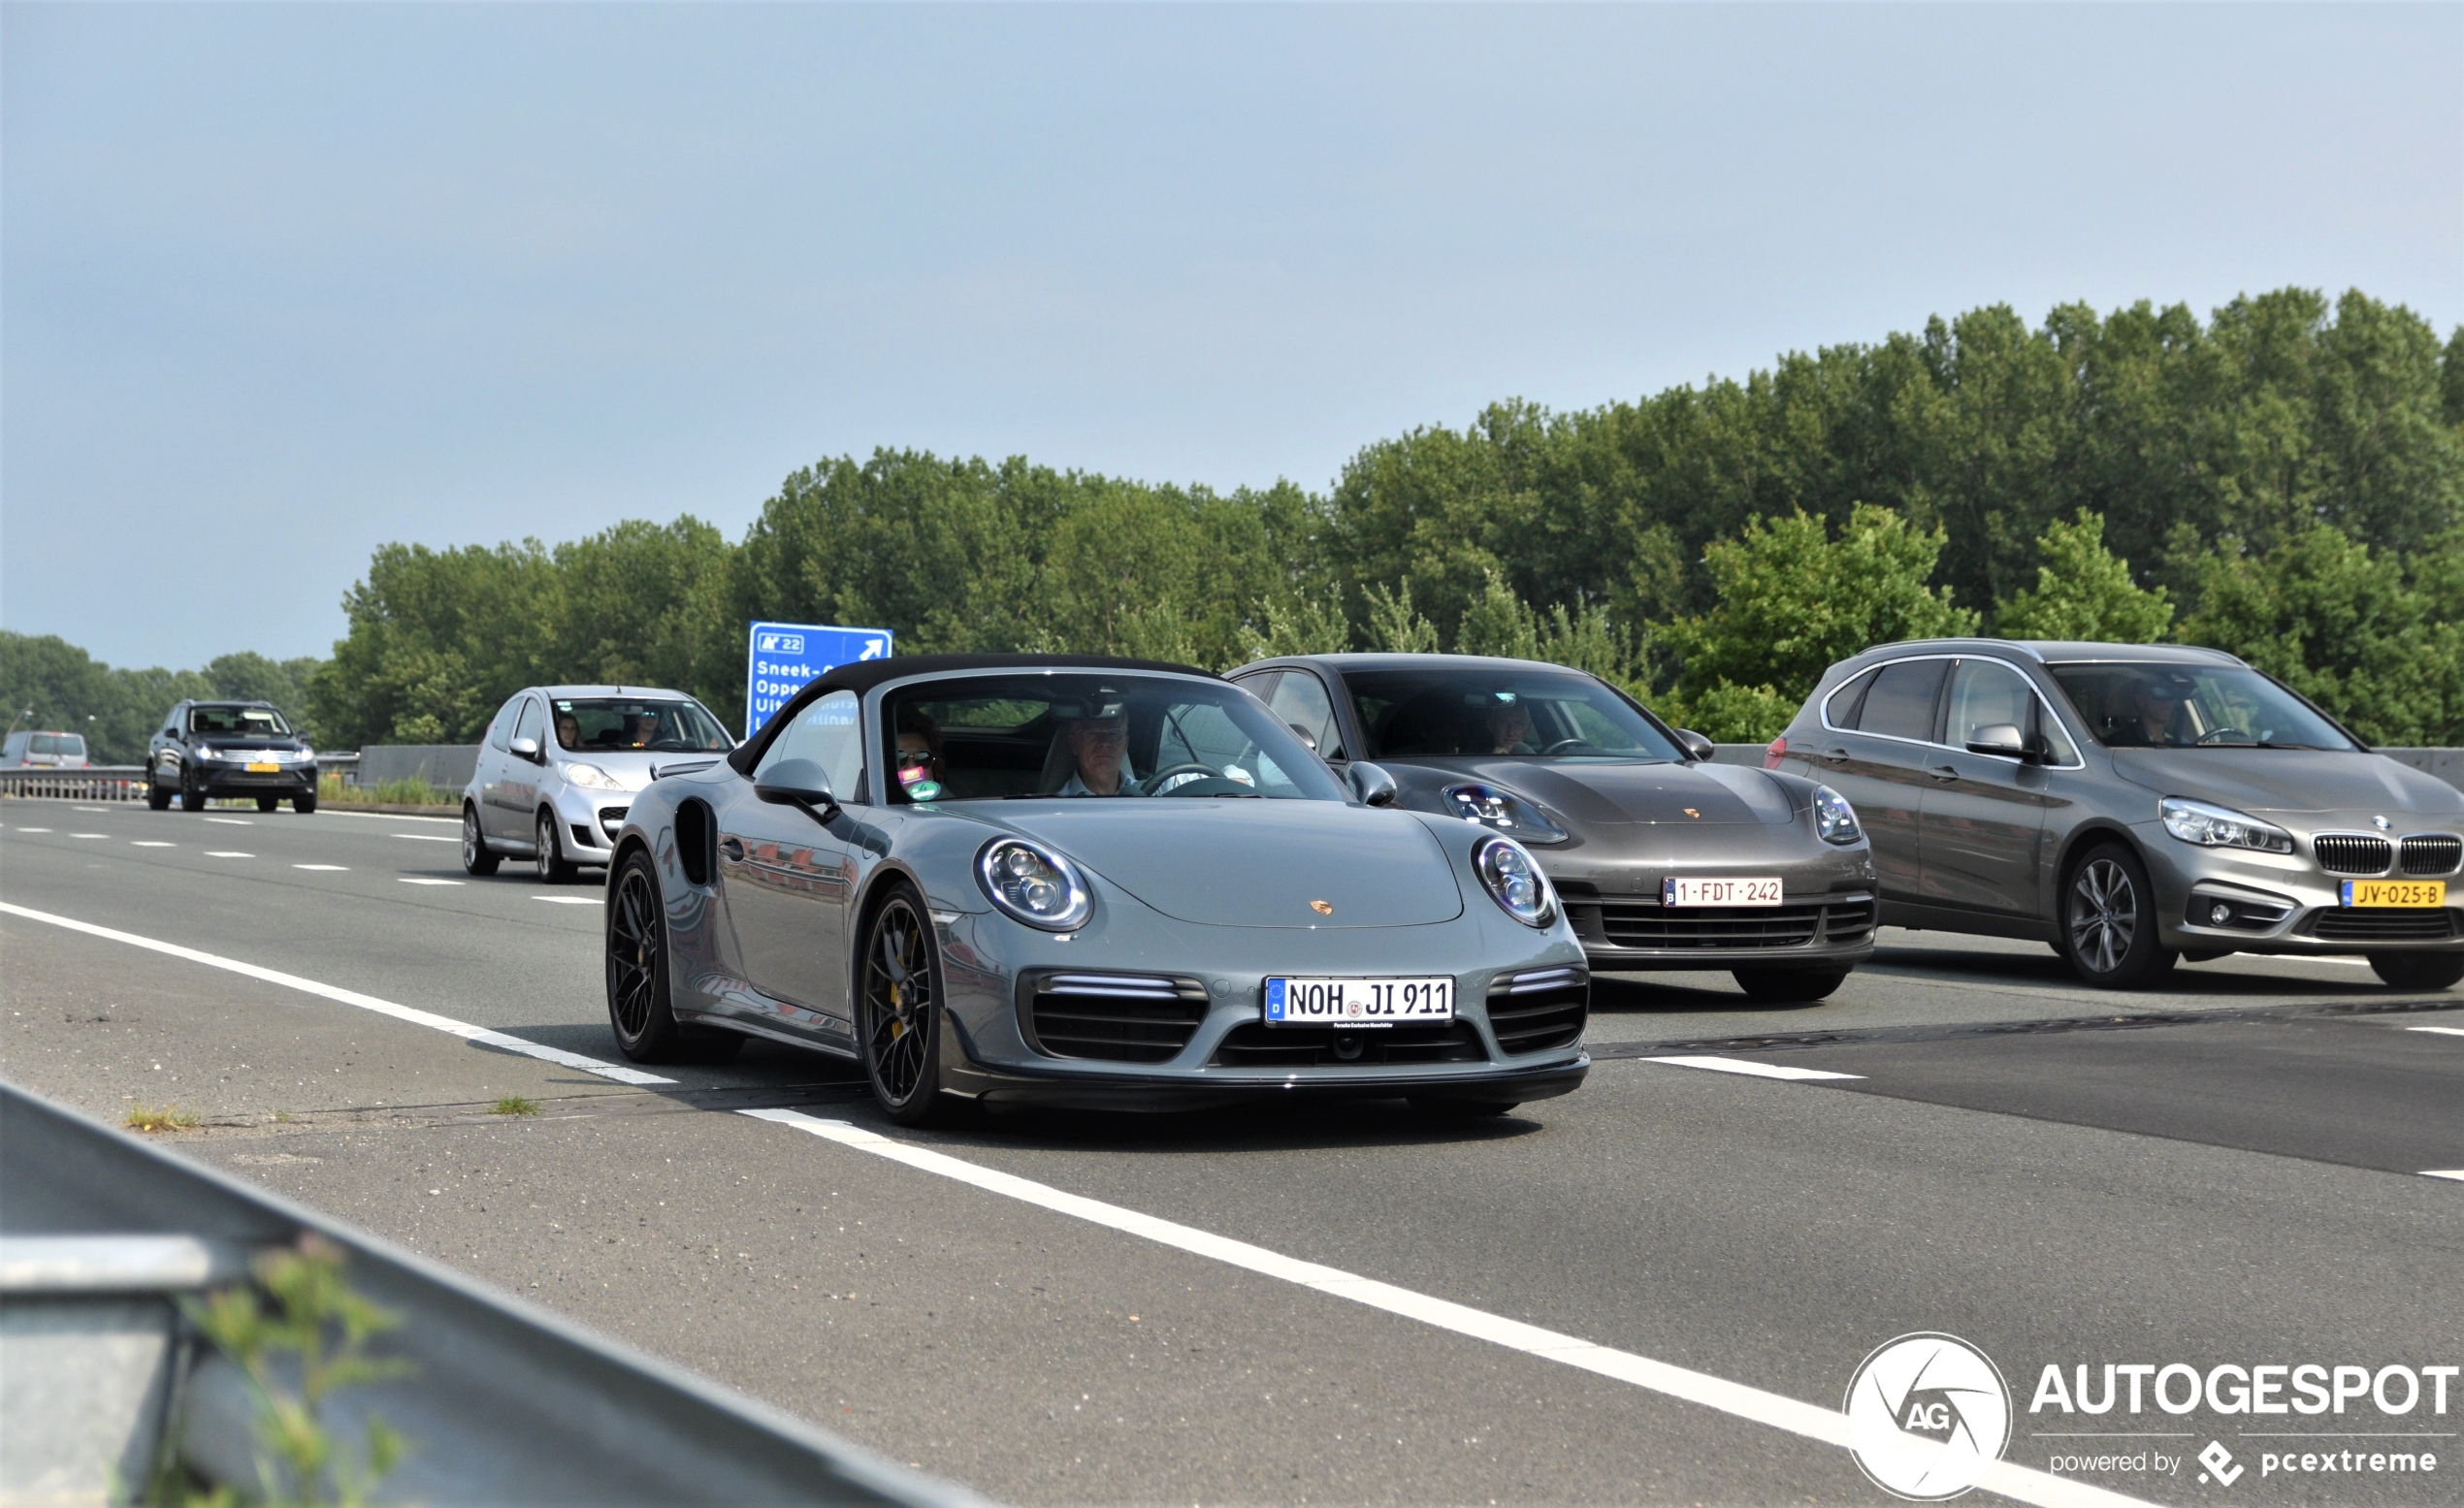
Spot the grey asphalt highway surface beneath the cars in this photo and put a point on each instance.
(2239, 1169)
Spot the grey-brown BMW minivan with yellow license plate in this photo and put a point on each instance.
(2133, 807)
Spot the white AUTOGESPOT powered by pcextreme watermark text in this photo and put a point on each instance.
(2322, 1423)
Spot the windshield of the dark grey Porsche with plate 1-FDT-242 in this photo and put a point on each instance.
(1502, 713)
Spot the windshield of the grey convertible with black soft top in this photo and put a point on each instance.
(1093, 736)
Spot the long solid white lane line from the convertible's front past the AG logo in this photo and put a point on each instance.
(1719, 1393)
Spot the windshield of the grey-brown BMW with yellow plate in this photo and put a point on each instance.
(2192, 708)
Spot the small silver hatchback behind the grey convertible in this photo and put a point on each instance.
(561, 770)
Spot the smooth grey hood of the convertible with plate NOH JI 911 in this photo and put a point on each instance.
(1258, 864)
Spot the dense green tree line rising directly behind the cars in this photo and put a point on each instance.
(2283, 479)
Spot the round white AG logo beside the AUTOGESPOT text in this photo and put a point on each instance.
(1928, 1416)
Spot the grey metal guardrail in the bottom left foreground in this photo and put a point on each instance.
(102, 1379)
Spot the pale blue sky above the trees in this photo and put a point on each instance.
(282, 282)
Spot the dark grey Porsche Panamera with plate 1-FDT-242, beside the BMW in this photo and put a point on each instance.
(1662, 859)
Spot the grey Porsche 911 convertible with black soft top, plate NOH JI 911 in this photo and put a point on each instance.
(1093, 883)
